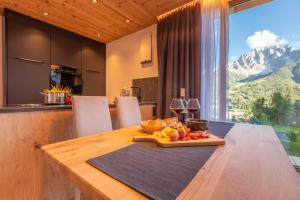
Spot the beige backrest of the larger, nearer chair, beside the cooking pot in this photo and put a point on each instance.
(91, 115)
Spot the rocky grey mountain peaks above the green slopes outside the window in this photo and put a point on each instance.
(263, 61)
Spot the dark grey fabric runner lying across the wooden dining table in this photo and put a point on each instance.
(159, 173)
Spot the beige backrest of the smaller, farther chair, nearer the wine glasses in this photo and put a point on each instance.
(128, 110)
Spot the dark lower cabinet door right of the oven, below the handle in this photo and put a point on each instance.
(93, 83)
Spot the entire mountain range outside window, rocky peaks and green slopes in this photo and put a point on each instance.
(260, 73)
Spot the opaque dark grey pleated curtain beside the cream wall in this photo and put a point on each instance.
(179, 55)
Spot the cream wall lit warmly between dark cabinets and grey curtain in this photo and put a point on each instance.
(123, 63)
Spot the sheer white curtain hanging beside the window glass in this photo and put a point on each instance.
(214, 39)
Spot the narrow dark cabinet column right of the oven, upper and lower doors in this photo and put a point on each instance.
(93, 68)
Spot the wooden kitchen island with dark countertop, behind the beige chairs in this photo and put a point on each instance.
(23, 130)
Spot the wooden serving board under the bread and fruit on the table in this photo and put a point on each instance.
(165, 142)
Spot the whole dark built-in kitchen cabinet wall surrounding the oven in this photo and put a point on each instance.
(32, 46)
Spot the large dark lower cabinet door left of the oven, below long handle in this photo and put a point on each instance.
(26, 80)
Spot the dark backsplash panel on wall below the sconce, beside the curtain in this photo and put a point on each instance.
(149, 88)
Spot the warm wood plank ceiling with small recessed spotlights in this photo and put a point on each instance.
(104, 21)
